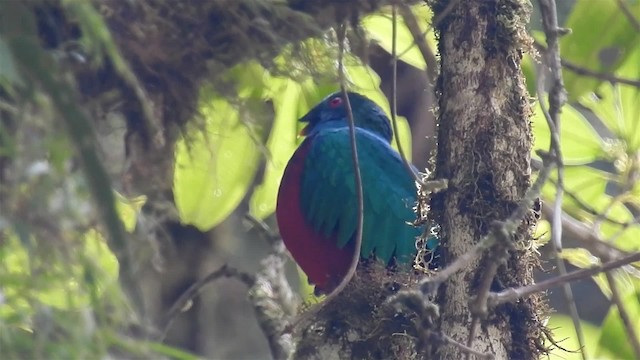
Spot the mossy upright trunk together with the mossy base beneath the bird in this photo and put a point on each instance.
(484, 145)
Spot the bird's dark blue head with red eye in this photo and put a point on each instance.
(331, 113)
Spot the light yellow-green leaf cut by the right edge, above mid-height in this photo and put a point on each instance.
(619, 106)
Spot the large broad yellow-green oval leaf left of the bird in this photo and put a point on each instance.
(214, 166)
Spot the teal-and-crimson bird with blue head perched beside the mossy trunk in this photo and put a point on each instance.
(316, 207)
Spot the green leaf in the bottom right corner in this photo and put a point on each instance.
(614, 339)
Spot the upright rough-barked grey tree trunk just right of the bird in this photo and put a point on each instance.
(484, 144)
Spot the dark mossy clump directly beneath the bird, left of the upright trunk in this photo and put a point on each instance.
(360, 320)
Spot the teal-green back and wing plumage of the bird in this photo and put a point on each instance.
(329, 194)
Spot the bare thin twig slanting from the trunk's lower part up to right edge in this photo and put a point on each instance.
(513, 294)
